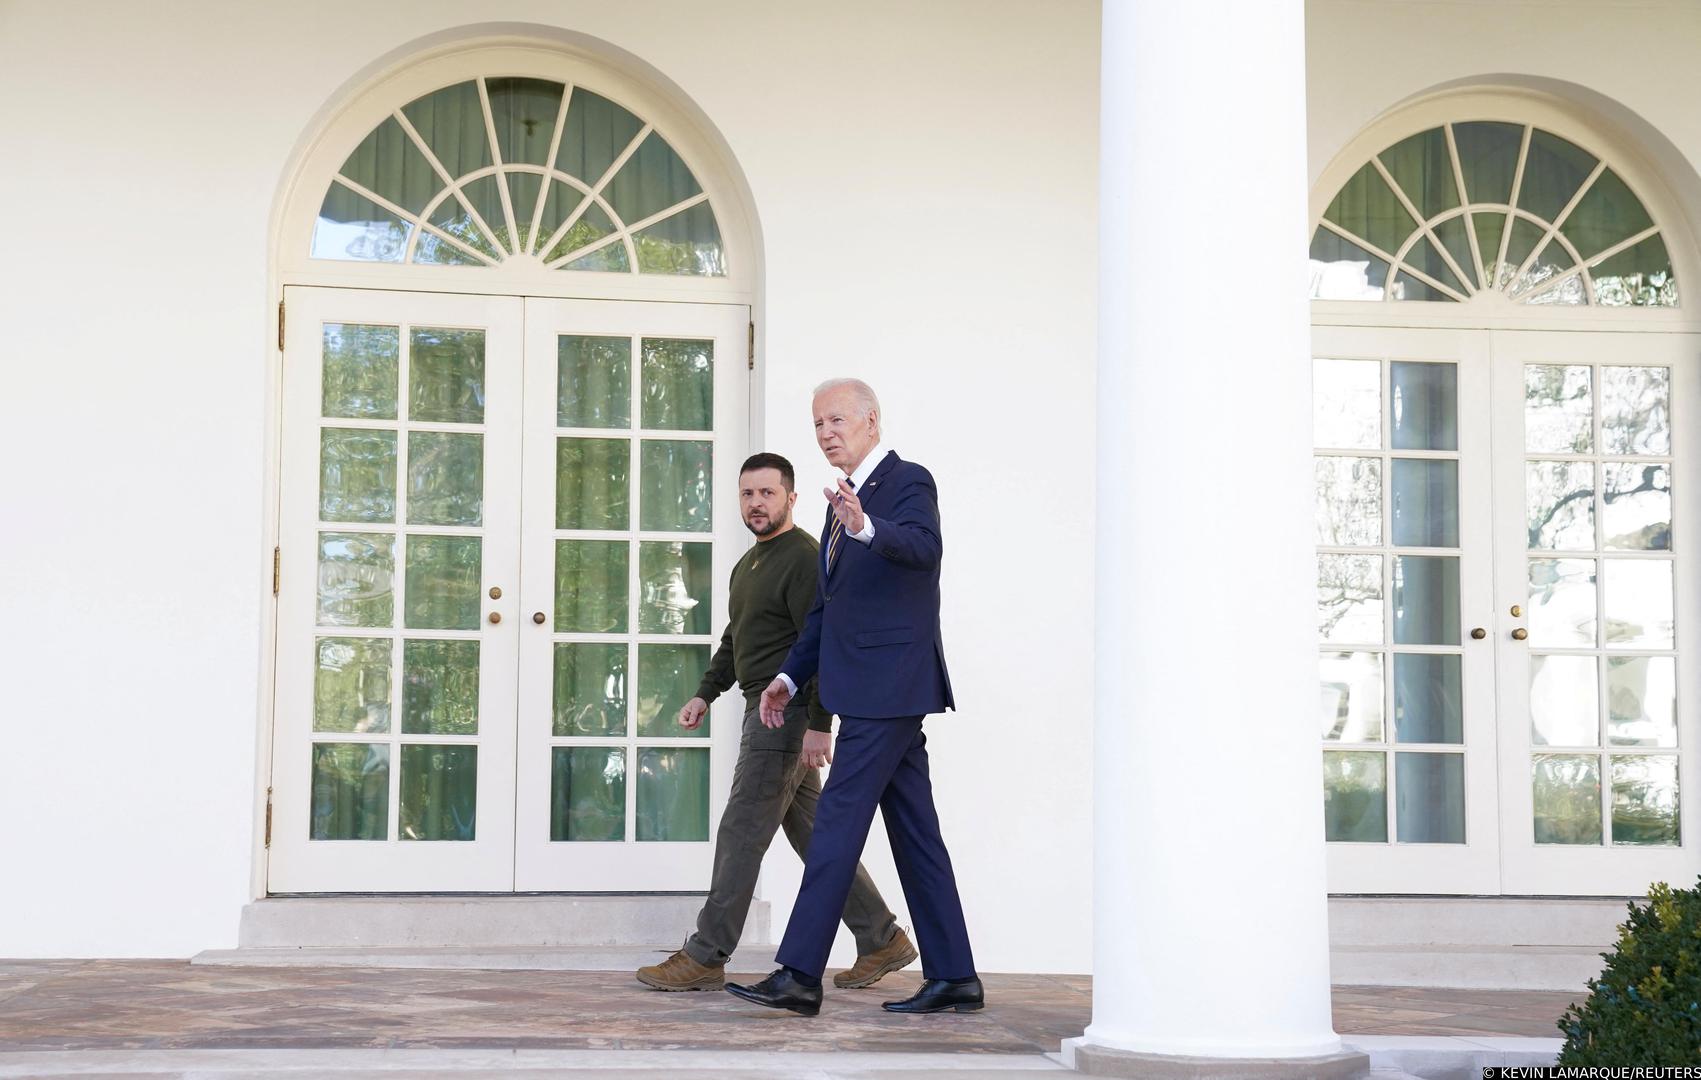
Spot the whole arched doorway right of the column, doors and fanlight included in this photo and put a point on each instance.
(1503, 384)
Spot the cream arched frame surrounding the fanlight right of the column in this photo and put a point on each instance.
(1493, 309)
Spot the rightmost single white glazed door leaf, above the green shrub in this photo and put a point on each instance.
(1596, 455)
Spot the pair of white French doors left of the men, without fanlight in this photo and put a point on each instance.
(503, 528)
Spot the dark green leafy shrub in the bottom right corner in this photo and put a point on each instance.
(1646, 1009)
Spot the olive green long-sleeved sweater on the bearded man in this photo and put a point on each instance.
(770, 596)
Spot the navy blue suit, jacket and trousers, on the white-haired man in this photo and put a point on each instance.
(873, 640)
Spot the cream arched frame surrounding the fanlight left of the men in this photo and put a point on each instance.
(367, 106)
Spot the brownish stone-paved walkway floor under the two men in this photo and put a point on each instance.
(174, 1006)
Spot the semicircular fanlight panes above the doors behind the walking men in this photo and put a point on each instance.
(496, 169)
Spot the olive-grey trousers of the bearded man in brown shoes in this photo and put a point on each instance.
(775, 790)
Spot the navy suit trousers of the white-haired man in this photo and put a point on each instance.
(880, 763)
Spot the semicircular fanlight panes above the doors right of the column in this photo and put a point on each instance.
(1491, 207)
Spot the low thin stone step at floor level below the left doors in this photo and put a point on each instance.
(751, 958)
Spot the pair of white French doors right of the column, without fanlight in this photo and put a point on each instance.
(1501, 610)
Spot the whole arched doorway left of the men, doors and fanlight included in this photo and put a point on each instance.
(516, 338)
